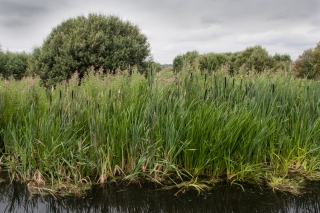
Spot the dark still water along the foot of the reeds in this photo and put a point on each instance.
(133, 198)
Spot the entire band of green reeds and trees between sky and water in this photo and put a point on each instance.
(237, 116)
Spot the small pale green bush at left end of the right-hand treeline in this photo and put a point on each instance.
(180, 61)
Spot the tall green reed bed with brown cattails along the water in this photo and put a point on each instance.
(165, 127)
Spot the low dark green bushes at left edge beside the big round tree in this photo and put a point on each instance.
(13, 64)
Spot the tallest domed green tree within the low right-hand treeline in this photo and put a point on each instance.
(254, 58)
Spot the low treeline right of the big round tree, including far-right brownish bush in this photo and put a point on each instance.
(253, 58)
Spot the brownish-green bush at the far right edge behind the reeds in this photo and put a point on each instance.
(308, 64)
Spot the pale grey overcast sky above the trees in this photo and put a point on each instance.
(175, 26)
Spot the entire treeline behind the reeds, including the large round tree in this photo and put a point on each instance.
(110, 44)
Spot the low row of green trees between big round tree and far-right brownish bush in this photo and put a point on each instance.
(253, 58)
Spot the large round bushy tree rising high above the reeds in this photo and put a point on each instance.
(78, 43)
